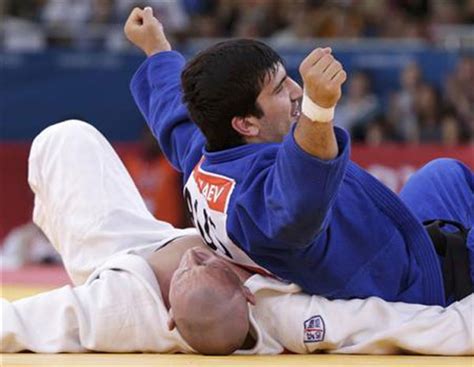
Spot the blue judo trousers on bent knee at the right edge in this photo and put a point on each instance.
(443, 189)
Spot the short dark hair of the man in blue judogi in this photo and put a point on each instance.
(223, 82)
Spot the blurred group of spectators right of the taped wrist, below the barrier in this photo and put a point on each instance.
(417, 112)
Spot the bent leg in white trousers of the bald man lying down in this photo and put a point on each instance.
(85, 200)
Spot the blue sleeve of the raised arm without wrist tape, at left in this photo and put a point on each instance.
(156, 88)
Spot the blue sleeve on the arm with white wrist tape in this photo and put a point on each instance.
(288, 203)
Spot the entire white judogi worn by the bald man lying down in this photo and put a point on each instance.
(89, 208)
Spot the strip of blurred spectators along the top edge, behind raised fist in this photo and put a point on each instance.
(71, 21)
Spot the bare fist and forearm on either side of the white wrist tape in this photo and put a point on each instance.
(323, 77)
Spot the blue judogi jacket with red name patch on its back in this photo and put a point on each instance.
(328, 226)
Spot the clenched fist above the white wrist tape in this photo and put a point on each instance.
(323, 77)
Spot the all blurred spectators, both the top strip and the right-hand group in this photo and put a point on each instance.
(417, 112)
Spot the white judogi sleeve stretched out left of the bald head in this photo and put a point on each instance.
(118, 311)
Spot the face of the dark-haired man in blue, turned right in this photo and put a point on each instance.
(280, 102)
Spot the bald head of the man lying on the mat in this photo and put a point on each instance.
(212, 320)
